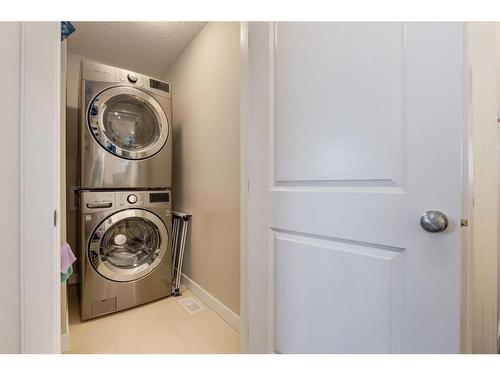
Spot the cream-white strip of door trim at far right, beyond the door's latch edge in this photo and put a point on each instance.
(480, 193)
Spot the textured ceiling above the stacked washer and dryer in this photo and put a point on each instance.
(144, 47)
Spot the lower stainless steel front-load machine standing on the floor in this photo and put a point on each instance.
(126, 257)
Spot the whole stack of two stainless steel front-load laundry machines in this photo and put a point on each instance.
(125, 197)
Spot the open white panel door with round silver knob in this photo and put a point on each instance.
(354, 132)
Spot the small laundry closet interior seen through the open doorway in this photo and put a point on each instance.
(150, 167)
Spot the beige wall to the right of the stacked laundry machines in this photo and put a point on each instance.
(206, 163)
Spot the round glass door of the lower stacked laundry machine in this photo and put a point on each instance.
(128, 245)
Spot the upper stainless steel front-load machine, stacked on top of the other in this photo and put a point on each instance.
(125, 132)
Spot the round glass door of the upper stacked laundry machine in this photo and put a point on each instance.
(128, 122)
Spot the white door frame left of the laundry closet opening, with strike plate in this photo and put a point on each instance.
(40, 185)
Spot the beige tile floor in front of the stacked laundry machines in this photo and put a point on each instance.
(162, 326)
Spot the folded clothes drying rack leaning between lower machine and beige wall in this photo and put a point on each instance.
(180, 227)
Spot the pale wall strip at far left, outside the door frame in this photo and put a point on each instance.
(10, 50)
